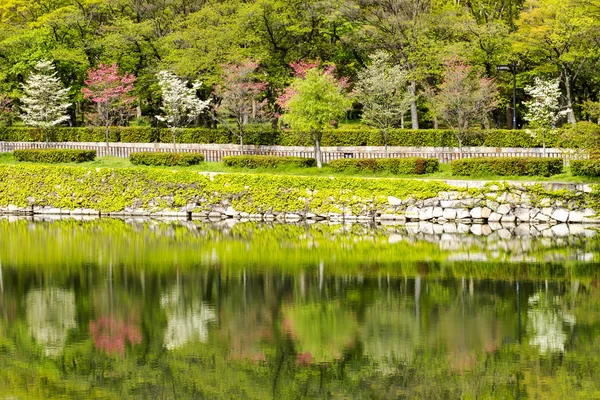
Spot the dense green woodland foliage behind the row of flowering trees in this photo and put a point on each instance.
(202, 39)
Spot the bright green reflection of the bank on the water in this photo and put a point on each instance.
(66, 246)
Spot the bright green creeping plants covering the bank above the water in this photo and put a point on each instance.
(155, 189)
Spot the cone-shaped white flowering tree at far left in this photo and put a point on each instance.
(46, 100)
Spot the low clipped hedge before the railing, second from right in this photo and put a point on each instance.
(507, 166)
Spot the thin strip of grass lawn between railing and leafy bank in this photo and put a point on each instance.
(444, 173)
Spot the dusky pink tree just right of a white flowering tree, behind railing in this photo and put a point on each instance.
(240, 96)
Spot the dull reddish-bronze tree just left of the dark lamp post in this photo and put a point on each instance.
(463, 98)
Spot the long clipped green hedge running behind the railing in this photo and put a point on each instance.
(255, 136)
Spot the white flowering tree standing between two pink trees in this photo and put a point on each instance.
(181, 106)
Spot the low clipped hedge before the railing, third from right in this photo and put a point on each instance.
(412, 165)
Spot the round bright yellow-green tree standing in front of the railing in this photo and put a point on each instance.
(312, 103)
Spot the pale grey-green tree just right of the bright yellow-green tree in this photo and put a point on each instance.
(381, 89)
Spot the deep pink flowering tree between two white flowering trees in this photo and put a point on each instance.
(111, 93)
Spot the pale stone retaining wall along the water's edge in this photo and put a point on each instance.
(470, 202)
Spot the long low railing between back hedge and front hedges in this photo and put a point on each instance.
(215, 152)
